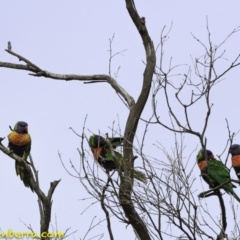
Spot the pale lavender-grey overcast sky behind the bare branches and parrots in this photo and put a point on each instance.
(72, 37)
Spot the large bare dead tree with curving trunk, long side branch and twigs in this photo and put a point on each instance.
(169, 194)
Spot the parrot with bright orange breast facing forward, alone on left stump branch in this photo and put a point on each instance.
(20, 144)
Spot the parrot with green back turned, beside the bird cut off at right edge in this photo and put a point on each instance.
(217, 174)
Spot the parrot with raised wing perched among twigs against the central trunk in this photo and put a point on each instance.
(103, 155)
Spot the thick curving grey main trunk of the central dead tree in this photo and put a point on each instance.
(132, 123)
